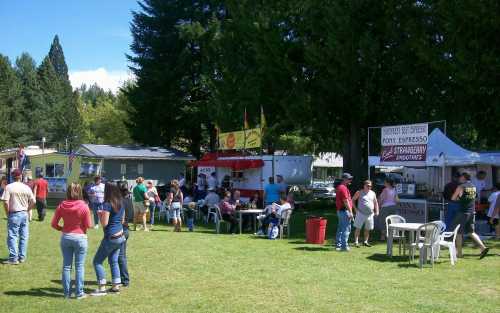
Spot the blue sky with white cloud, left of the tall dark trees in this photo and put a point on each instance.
(94, 35)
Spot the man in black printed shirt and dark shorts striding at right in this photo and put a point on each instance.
(465, 194)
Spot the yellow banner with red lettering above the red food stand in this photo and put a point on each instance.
(237, 141)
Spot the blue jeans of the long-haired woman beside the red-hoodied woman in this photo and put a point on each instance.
(109, 248)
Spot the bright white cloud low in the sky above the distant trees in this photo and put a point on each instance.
(108, 80)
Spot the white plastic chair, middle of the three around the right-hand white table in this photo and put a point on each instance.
(426, 243)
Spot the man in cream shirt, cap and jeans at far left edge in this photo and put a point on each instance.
(18, 201)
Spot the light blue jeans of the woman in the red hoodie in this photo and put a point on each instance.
(73, 246)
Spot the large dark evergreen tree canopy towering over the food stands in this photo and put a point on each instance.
(322, 70)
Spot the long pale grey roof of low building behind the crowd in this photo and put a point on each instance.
(134, 152)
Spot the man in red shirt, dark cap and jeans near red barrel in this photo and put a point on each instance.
(344, 212)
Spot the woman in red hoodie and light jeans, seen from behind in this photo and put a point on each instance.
(76, 220)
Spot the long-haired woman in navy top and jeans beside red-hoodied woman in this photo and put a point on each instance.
(112, 217)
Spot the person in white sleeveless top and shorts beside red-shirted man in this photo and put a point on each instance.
(366, 209)
